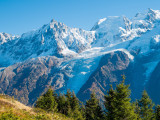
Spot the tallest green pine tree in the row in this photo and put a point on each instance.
(125, 108)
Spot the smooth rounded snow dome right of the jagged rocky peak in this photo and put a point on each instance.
(111, 30)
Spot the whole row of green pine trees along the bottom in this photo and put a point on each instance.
(117, 102)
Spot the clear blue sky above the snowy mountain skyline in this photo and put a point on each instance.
(19, 16)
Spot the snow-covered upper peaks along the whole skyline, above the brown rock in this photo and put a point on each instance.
(55, 38)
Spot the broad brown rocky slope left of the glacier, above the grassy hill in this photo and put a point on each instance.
(28, 80)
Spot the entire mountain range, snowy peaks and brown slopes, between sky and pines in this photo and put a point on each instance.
(71, 58)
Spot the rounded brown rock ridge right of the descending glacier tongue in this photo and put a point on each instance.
(109, 71)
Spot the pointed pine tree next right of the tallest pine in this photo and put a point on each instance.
(146, 107)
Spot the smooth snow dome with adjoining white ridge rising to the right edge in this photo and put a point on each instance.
(115, 30)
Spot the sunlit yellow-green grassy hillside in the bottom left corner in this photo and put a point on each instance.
(11, 109)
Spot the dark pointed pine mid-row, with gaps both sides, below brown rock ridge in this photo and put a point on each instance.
(93, 109)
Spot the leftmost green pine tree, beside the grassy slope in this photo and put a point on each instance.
(47, 101)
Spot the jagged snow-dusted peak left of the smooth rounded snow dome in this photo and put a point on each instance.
(52, 39)
